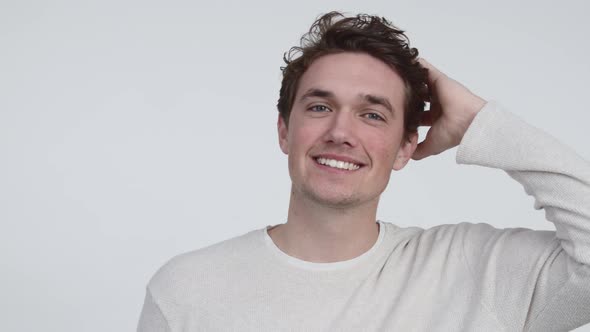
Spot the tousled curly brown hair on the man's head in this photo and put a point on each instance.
(334, 33)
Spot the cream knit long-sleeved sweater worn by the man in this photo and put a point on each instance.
(462, 277)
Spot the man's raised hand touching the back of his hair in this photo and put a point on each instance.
(452, 109)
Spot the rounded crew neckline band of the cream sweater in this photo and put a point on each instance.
(284, 257)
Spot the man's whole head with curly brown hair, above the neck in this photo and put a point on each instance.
(348, 110)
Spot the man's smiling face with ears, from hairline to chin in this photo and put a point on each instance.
(345, 130)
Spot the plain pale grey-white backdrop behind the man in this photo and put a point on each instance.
(132, 131)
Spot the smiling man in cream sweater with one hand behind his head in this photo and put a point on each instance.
(349, 107)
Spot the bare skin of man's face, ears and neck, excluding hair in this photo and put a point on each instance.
(345, 133)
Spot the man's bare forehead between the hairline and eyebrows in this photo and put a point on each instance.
(349, 74)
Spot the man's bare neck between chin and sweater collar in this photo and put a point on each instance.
(322, 234)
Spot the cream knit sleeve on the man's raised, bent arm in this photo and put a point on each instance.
(532, 280)
